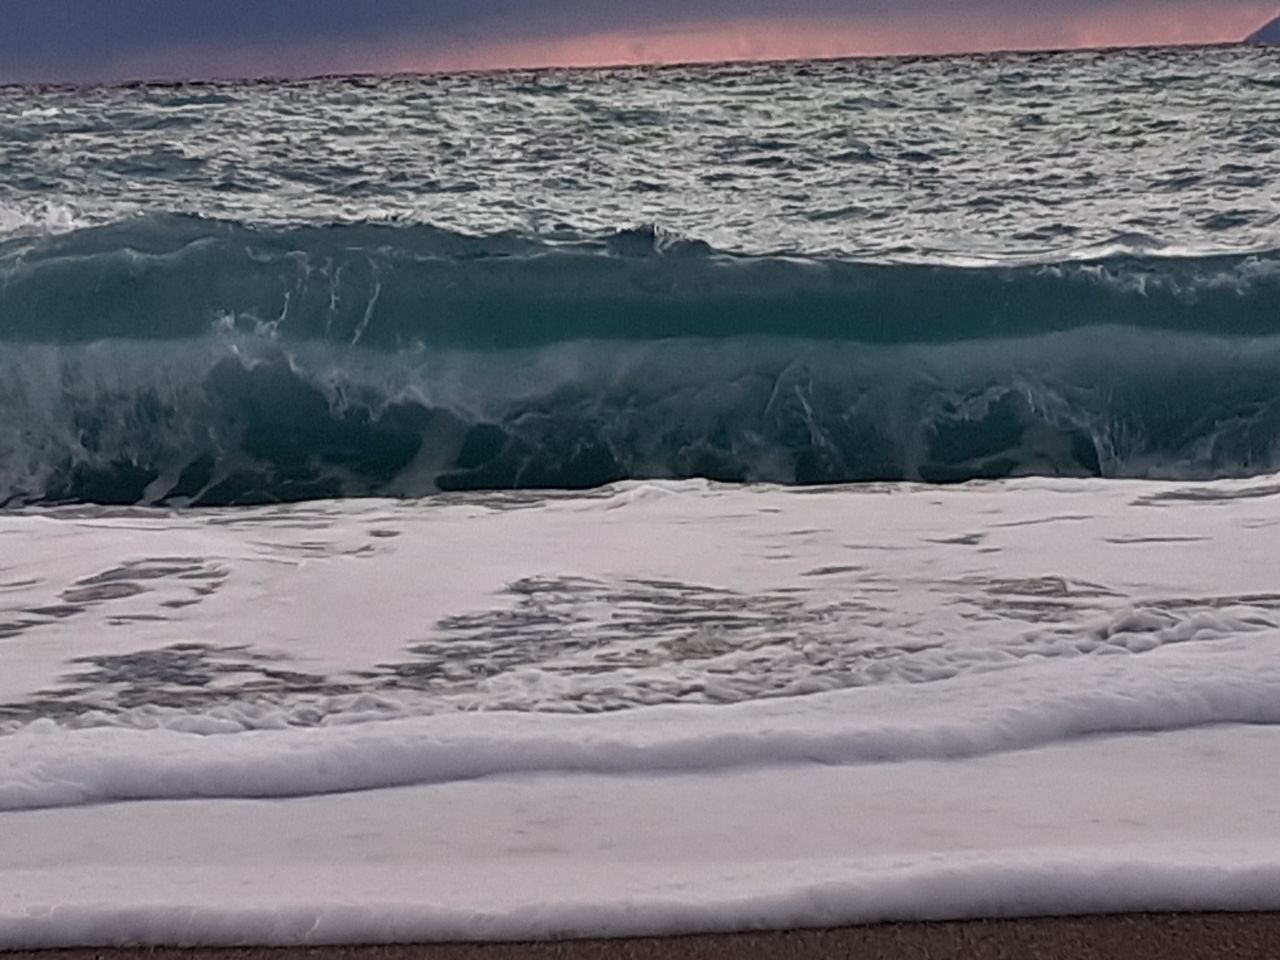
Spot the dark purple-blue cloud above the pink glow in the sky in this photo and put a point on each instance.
(79, 40)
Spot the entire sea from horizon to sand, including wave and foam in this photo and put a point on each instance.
(639, 501)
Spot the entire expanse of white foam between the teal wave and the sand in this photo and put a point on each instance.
(269, 725)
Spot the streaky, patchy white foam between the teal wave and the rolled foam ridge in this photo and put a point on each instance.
(650, 595)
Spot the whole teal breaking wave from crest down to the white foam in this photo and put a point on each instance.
(182, 360)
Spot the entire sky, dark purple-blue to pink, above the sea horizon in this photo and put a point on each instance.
(76, 42)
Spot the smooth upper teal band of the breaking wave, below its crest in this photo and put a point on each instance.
(396, 286)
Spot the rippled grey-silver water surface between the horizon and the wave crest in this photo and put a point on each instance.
(961, 158)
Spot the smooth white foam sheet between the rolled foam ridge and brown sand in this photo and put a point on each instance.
(1084, 828)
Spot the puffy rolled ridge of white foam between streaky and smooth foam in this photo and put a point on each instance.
(968, 717)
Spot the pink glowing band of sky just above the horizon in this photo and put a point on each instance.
(794, 38)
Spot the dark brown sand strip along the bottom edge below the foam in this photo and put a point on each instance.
(1124, 938)
